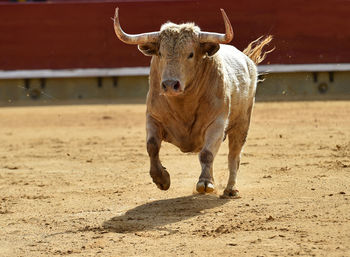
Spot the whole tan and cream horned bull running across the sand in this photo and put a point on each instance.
(201, 91)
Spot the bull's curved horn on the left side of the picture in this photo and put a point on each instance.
(135, 39)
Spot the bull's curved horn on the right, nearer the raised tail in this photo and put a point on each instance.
(218, 37)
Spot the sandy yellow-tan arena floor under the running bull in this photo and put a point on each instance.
(74, 181)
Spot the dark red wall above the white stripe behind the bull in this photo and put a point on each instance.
(79, 34)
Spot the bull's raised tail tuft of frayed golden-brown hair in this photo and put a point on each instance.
(254, 49)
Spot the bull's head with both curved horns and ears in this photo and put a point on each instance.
(178, 49)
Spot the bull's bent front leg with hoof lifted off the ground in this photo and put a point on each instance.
(154, 138)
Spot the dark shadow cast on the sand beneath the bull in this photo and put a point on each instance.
(156, 214)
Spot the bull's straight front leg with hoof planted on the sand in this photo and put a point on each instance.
(213, 139)
